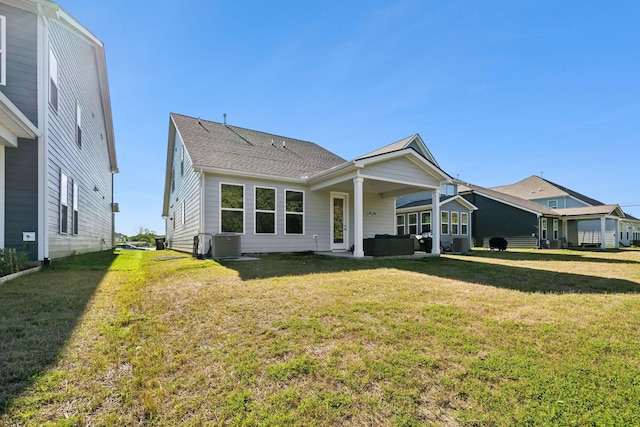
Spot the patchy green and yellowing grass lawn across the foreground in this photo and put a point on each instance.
(540, 338)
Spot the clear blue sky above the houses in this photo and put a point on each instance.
(498, 90)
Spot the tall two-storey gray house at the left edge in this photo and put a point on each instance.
(57, 152)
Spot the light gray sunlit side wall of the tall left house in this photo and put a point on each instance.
(88, 165)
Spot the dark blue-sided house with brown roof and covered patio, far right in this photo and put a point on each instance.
(562, 216)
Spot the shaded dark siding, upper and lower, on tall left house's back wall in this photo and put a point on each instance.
(21, 163)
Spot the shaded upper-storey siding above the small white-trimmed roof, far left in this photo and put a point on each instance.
(22, 59)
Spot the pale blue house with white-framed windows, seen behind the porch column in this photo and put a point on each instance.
(414, 216)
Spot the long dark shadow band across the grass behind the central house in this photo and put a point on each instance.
(465, 270)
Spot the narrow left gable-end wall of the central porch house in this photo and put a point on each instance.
(181, 230)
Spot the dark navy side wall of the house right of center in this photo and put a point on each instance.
(495, 219)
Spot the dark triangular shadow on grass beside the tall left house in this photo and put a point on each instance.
(38, 313)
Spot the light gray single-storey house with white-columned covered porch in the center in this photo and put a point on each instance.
(282, 194)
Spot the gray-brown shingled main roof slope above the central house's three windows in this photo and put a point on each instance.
(219, 146)
